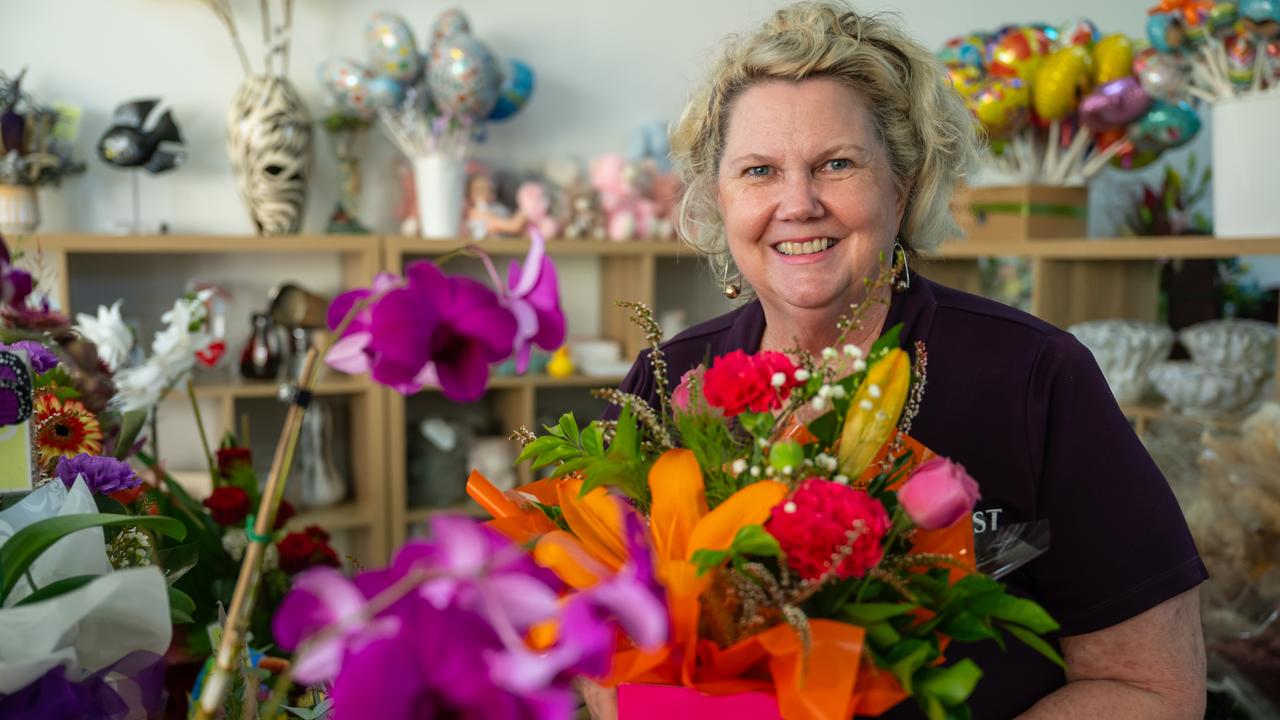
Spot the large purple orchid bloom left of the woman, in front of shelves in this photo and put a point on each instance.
(454, 329)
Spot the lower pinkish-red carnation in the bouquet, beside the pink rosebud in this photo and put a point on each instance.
(812, 528)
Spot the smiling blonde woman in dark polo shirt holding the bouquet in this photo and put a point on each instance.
(822, 149)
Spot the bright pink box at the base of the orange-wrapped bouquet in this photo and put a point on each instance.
(675, 703)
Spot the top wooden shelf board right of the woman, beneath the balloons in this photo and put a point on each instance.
(1114, 248)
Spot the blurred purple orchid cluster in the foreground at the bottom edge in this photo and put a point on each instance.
(454, 645)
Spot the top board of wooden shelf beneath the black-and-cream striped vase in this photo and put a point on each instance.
(182, 244)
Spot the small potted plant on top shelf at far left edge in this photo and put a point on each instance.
(35, 151)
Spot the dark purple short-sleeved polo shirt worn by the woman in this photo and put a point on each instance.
(1025, 408)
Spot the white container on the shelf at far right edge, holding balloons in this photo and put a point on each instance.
(1246, 166)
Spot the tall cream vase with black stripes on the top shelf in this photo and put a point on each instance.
(269, 140)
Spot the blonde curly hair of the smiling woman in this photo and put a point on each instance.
(920, 119)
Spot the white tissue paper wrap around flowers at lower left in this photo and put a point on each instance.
(86, 630)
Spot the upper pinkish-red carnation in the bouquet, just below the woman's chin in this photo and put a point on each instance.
(739, 382)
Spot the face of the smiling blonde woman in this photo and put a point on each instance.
(807, 193)
